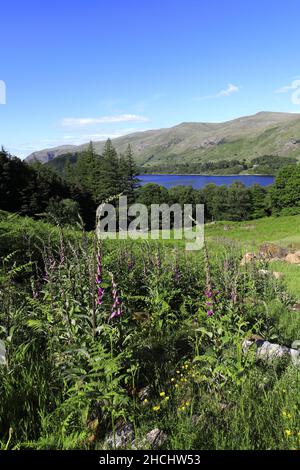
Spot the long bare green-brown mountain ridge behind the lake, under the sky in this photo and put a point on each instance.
(265, 133)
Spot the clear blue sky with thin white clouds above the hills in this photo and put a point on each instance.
(88, 69)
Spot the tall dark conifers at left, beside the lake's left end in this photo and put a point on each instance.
(36, 190)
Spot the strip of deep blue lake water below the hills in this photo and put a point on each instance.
(199, 181)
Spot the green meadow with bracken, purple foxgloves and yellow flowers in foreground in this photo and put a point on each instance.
(102, 343)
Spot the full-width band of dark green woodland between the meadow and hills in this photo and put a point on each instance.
(39, 190)
